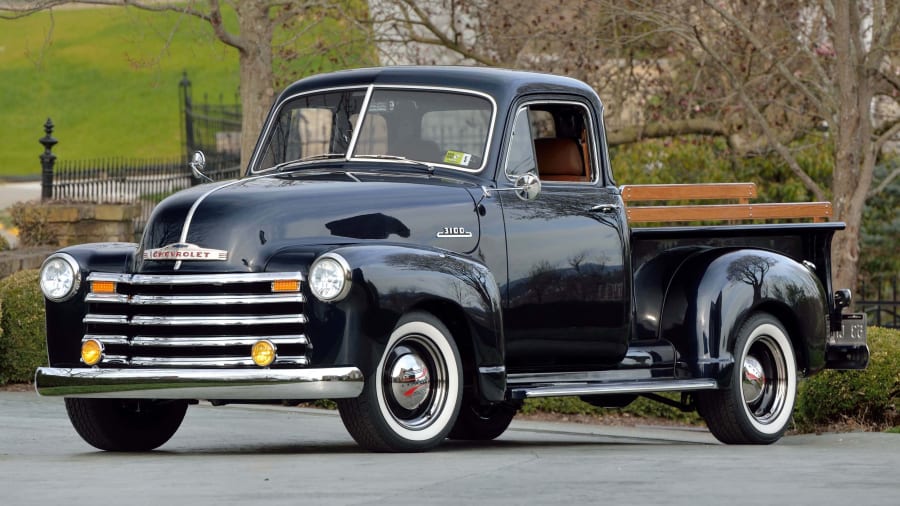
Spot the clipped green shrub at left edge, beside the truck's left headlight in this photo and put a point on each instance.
(23, 344)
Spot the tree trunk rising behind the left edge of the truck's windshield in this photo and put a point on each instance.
(257, 78)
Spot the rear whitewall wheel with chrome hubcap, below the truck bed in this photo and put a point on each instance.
(756, 408)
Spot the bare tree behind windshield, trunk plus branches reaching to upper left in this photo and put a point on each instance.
(256, 39)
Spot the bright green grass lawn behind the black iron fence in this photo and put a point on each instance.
(108, 77)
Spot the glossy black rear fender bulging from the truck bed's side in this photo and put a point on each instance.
(714, 291)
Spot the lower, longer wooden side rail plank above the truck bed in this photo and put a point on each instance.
(791, 210)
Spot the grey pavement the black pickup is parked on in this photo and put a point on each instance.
(276, 455)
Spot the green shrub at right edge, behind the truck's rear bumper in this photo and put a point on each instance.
(865, 398)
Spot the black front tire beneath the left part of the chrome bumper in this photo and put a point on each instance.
(122, 425)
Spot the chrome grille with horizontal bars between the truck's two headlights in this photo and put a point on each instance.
(196, 320)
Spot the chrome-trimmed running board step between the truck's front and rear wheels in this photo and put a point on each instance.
(617, 387)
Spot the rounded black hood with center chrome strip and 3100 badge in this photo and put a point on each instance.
(237, 226)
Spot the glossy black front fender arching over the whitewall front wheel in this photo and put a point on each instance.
(391, 280)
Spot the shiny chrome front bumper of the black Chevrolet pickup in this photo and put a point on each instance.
(207, 384)
